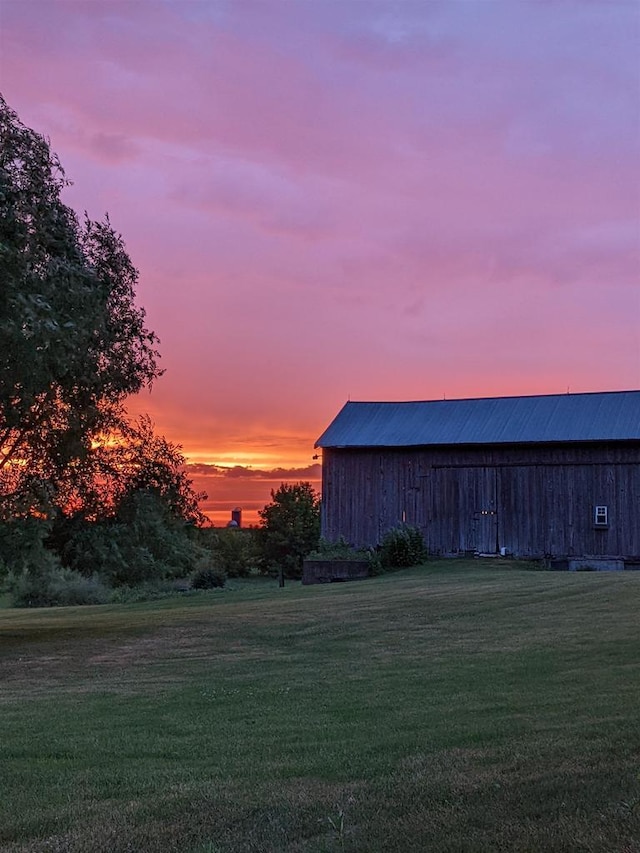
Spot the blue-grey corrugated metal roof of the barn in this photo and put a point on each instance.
(606, 416)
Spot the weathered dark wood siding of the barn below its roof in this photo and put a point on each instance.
(532, 501)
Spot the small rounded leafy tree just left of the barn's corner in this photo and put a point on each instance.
(290, 528)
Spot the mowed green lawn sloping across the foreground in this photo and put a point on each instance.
(460, 706)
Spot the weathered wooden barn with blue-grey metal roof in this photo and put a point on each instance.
(554, 476)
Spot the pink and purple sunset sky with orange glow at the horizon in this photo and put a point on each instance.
(348, 199)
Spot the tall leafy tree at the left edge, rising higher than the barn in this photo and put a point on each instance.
(73, 345)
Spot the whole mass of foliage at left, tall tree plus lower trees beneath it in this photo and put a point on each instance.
(73, 346)
